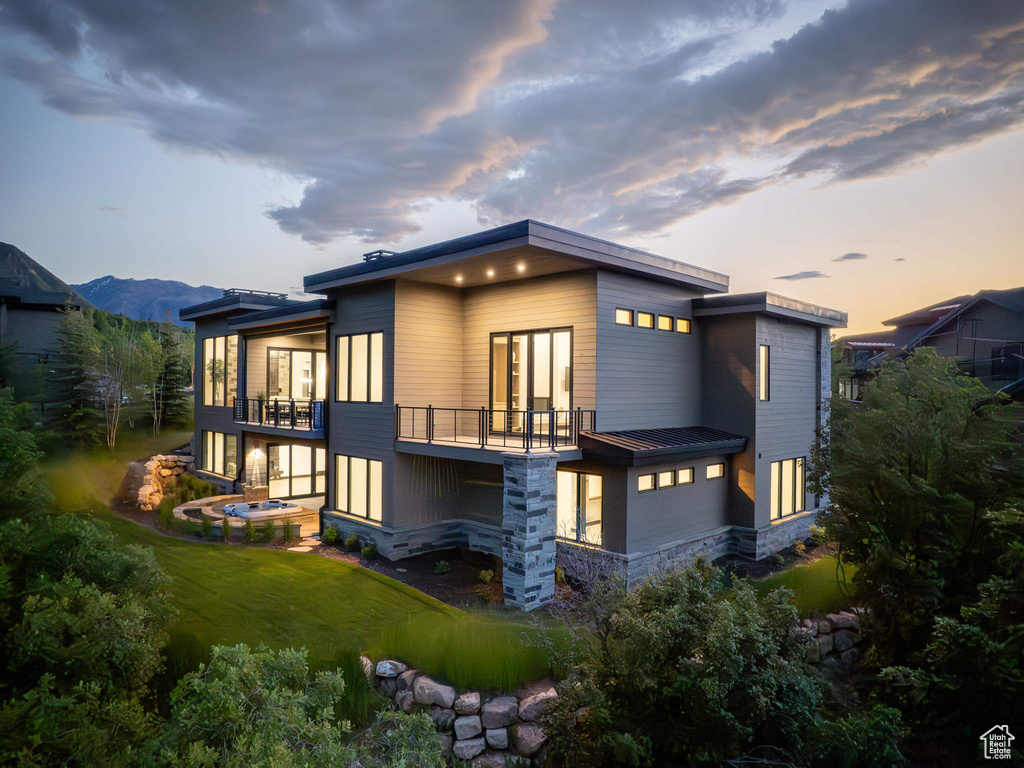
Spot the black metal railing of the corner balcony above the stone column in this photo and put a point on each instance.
(488, 428)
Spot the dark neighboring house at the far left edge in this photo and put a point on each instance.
(30, 334)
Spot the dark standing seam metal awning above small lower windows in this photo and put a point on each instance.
(643, 447)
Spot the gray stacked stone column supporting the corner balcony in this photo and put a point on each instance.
(529, 530)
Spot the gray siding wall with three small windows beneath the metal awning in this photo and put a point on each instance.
(666, 516)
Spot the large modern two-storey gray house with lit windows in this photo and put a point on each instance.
(520, 388)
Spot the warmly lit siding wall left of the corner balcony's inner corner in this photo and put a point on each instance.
(429, 346)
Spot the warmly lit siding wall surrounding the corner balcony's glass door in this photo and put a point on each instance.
(553, 302)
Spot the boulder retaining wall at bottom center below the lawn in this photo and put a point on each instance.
(489, 732)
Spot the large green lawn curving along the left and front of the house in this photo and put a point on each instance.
(233, 593)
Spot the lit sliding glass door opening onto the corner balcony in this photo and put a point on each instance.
(530, 371)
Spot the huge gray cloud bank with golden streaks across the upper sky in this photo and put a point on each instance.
(618, 119)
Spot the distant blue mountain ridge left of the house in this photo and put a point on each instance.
(145, 300)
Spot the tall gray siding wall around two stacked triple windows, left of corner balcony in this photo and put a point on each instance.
(365, 430)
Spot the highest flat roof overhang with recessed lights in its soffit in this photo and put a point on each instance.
(540, 249)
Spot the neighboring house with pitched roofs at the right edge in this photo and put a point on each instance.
(985, 333)
